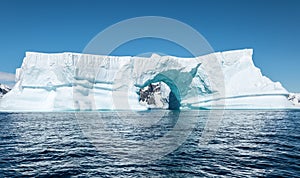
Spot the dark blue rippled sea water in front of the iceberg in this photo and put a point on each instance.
(151, 144)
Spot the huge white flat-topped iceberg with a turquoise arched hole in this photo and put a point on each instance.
(71, 81)
